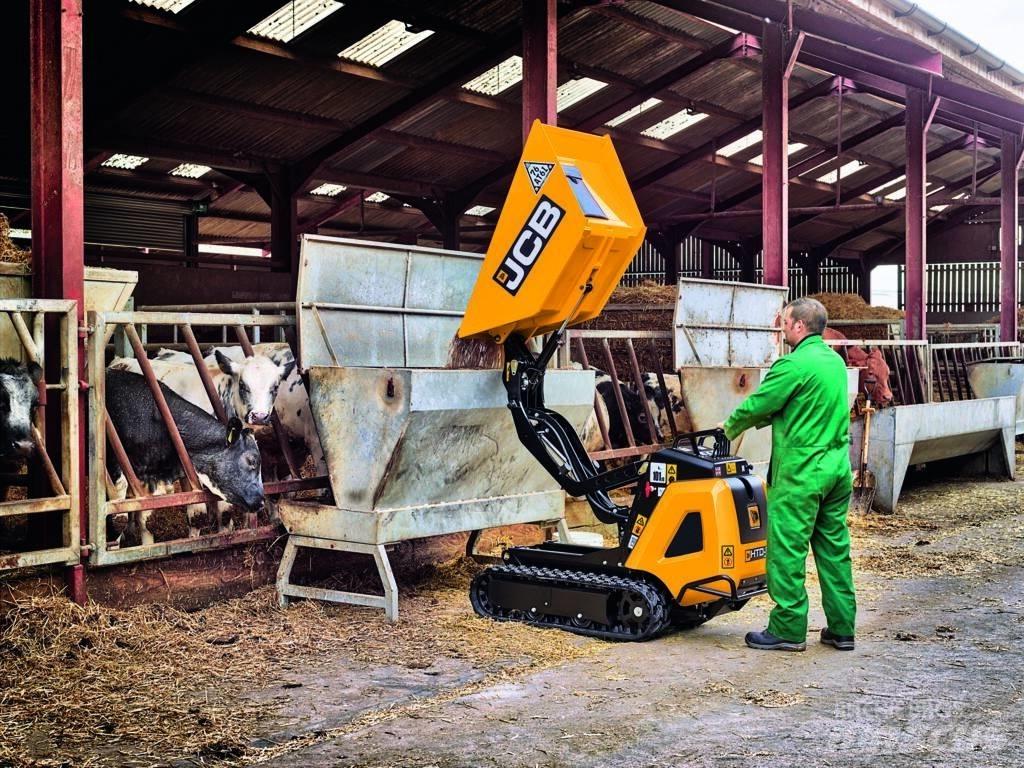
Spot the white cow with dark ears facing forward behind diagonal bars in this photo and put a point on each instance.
(247, 388)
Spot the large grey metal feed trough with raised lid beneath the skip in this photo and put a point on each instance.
(413, 450)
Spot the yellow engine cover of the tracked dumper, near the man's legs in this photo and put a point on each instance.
(721, 552)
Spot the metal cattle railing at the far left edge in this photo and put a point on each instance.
(27, 318)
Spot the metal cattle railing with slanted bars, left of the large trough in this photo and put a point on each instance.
(133, 327)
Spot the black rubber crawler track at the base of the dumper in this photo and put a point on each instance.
(605, 606)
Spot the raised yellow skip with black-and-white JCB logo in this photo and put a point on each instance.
(570, 221)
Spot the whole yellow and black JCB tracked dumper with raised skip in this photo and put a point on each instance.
(693, 544)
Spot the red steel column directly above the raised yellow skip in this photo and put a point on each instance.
(540, 64)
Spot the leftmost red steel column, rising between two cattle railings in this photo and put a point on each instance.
(58, 191)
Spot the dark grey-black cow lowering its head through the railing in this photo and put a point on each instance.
(227, 459)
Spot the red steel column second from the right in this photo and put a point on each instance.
(917, 172)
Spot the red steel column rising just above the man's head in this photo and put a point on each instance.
(775, 181)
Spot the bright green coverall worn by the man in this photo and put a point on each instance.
(803, 398)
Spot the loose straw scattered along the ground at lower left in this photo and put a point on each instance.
(97, 687)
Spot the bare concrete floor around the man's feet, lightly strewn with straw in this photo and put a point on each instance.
(937, 677)
